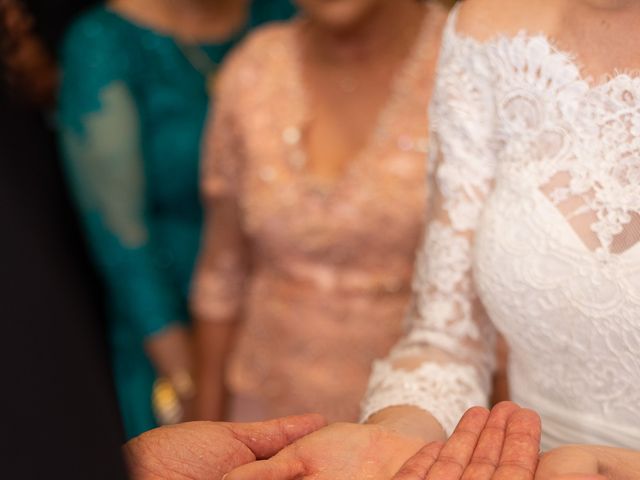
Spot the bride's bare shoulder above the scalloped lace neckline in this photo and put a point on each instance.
(486, 19)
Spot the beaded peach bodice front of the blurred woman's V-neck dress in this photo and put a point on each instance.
(378, 198)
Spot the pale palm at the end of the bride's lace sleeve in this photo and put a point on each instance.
(342, 451)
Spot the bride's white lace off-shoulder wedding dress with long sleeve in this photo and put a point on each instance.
(535, 233)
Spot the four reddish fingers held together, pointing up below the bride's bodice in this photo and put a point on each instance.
(499, 445)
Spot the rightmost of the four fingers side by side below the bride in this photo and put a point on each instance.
(521, 448)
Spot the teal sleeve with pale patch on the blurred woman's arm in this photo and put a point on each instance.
(101, 140)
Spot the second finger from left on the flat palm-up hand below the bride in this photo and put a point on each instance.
(458, 450)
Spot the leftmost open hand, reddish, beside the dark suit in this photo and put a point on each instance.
(207, 450)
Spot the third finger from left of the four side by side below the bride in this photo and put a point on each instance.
(486, 456)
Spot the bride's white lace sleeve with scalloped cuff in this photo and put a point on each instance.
(444, 363)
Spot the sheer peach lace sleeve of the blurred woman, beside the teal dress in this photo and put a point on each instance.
(222, 264)
